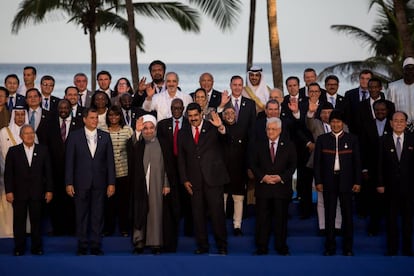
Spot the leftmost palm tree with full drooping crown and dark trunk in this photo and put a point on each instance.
(94, 15)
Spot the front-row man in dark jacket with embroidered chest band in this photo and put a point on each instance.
(337, 168)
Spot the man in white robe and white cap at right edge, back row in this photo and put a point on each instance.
(401, 92)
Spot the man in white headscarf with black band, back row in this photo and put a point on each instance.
(256, 88)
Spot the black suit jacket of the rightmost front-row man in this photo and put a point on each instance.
(397, 176)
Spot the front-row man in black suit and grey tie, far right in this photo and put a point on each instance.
(396, 163)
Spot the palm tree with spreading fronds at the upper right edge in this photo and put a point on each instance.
(384, 43)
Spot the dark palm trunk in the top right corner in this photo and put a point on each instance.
(402, 27)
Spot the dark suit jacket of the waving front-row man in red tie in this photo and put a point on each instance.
(201, 164)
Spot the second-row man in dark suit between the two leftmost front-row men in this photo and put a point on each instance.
(62, 208)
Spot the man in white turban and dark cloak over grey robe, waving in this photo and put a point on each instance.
(153, 190)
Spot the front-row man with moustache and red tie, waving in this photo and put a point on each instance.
(203, 173)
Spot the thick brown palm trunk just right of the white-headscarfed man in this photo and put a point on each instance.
(274, 44)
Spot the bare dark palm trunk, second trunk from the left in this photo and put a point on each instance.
(133, 58)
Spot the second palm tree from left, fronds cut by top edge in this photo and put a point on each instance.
(224, 13)
